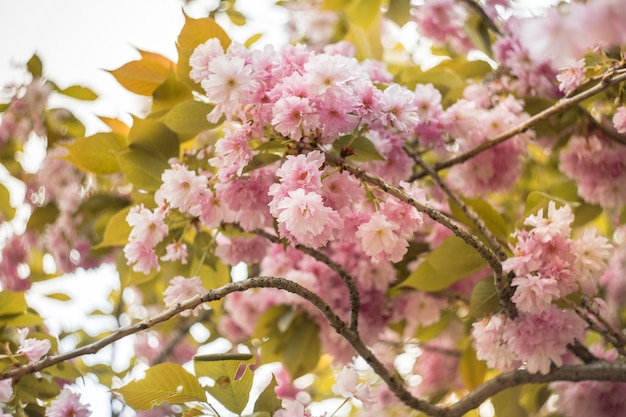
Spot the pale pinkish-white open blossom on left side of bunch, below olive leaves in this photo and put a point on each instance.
(181, 189)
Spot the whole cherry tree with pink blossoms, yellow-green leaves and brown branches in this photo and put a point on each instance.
(358, 224)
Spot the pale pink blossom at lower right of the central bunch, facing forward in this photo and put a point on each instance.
(379, 239)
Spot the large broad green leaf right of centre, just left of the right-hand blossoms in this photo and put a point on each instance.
(448, 263)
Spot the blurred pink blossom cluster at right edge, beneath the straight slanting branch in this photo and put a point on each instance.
(599, 168)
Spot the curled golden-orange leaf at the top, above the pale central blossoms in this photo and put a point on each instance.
(194, 33)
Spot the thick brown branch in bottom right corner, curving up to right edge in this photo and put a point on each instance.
(597, 371)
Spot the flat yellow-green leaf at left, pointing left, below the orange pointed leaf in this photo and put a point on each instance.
(97, 153)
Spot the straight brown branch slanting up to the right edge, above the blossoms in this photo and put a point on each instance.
(564, 103)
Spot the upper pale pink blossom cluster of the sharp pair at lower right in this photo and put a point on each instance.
(549, 264)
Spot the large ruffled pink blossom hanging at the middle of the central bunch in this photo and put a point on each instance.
(305, 217)
